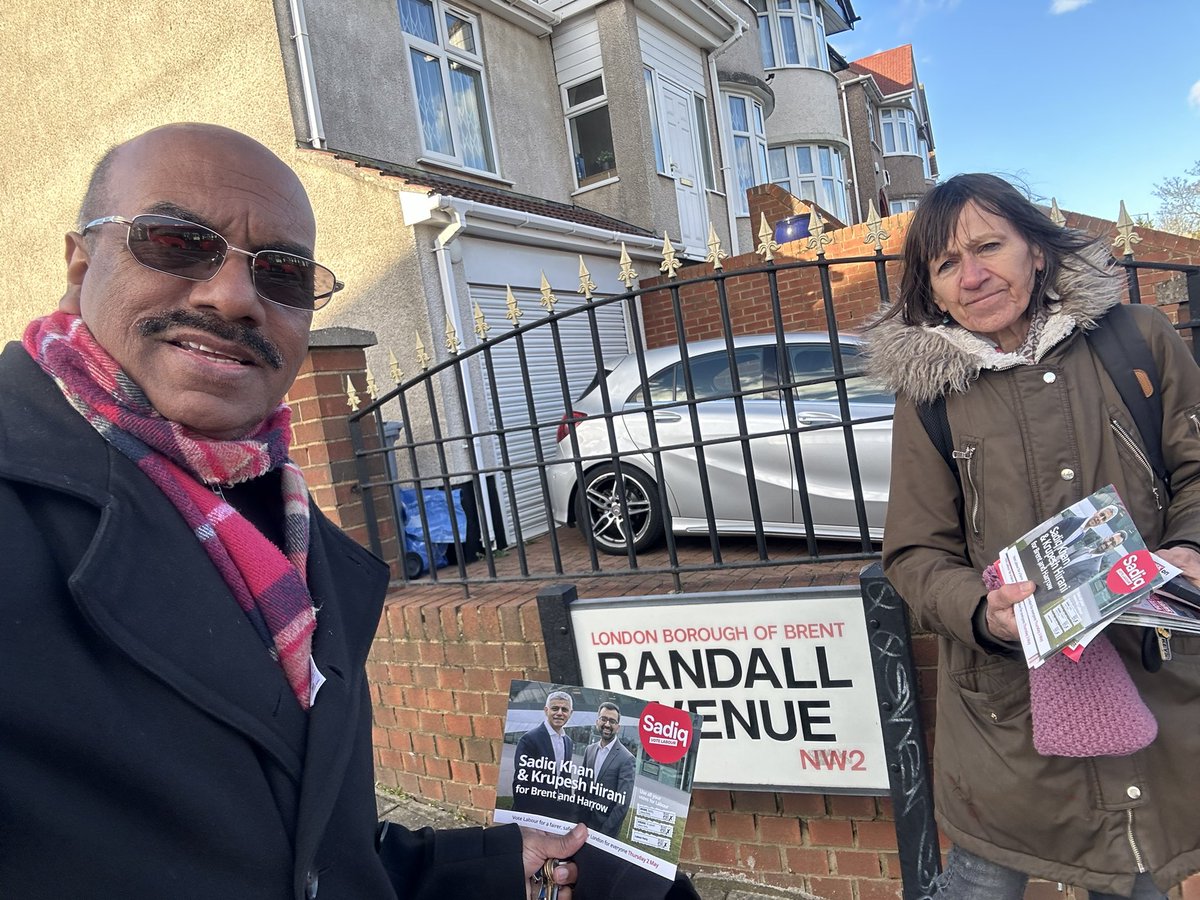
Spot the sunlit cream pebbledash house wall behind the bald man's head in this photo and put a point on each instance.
(77, 79)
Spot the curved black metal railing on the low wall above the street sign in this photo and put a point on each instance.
(508, 463)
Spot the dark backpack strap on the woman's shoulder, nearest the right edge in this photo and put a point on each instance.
(1131, 365)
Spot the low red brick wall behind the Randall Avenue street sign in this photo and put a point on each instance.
(440, 673)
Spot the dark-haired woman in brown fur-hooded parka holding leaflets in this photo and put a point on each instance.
(995, 302)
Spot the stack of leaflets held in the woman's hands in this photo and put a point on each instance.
(1091, 568)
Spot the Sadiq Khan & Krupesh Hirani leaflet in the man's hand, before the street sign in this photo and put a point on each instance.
(620, 765)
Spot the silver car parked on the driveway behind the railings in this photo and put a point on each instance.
(763, 380)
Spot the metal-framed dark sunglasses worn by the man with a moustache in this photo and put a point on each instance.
(191, 251)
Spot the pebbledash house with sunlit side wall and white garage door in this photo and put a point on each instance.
(457, 153)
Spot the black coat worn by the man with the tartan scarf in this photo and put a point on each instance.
(149, 746)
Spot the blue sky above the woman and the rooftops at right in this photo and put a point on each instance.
(1091, 104)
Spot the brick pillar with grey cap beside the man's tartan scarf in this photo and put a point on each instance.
(321, 436)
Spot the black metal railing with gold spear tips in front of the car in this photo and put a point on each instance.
(518, 472)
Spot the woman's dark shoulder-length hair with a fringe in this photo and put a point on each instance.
(938, 217)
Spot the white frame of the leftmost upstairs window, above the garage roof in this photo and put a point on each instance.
(447, 53)
